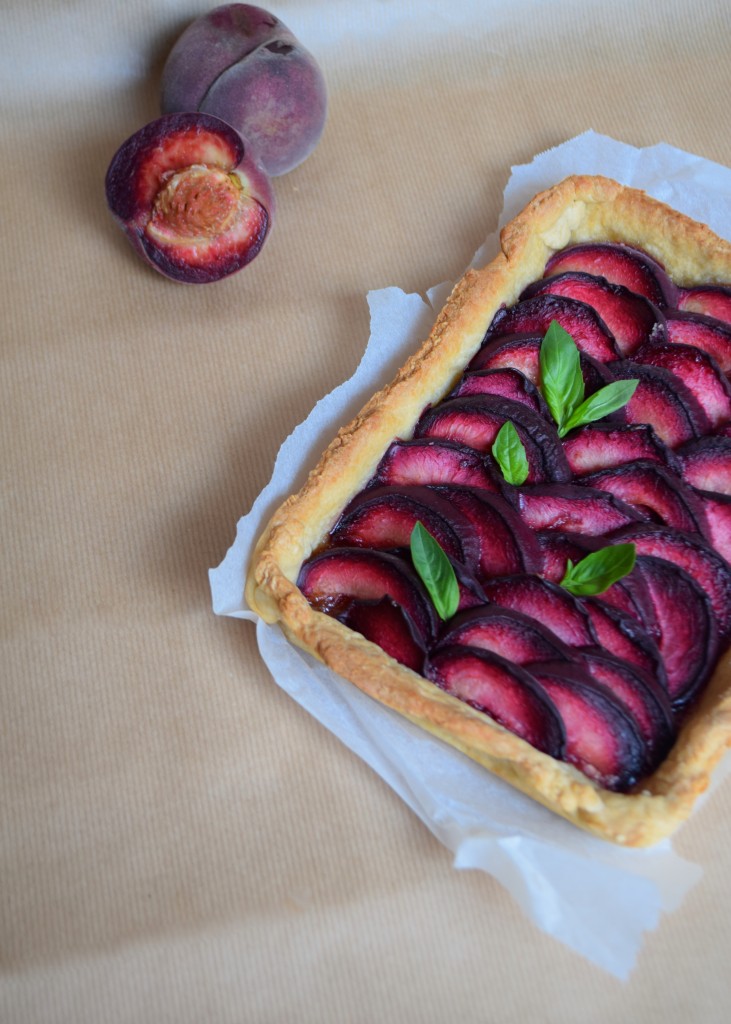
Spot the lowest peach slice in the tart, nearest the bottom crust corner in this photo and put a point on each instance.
(603, 740)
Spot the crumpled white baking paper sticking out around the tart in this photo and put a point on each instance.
(594, 897)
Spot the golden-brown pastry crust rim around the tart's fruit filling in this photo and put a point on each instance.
(579, 209)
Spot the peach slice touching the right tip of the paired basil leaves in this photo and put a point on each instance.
(664, 402)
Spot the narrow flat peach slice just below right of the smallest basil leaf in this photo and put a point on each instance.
(573, 509)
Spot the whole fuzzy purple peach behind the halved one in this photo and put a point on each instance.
(241, 64)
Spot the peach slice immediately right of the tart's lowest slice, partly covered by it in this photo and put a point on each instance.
(641, 696)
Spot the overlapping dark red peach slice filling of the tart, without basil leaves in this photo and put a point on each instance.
(601, 682)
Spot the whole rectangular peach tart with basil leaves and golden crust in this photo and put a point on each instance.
(524, 542)
